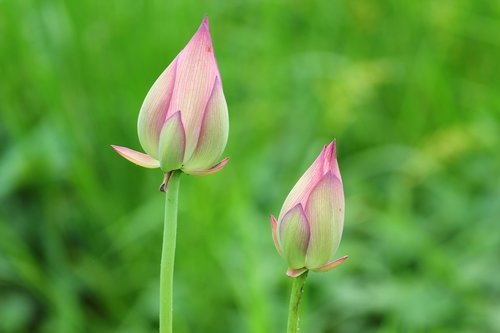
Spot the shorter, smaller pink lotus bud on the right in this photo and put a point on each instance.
(308, 230)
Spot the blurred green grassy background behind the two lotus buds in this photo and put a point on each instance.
(411, 91)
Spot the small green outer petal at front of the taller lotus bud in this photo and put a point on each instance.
(172, 143)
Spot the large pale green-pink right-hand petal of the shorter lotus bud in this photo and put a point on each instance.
(325, 213)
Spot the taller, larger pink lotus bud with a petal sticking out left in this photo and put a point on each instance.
(183, 123)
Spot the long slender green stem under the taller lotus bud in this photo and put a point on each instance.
(168, 253)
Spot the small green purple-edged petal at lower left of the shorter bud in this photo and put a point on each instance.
(293, 234)
